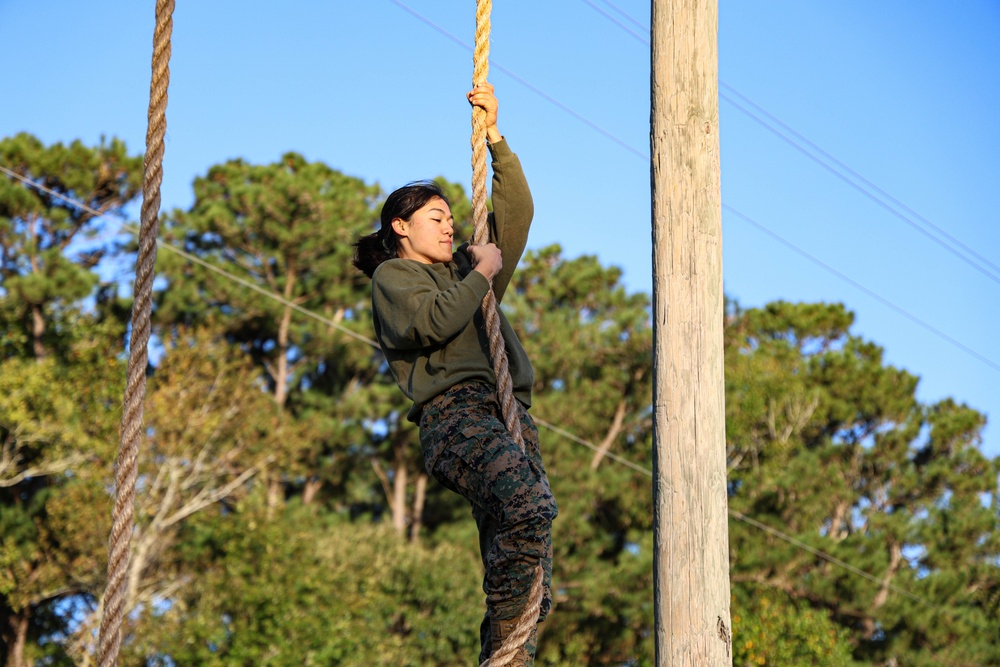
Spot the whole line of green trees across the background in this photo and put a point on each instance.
(283, 516)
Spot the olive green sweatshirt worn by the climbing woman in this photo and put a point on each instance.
(428, 317)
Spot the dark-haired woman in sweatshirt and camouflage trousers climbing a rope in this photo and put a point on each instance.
(426, 300)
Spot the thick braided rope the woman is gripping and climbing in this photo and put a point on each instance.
(528, 618)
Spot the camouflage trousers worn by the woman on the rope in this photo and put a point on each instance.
(467, 449)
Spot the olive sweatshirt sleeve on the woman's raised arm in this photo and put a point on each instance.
(513, 209)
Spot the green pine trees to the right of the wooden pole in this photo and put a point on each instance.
(829, 445)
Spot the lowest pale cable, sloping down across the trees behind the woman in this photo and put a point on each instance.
(541, 422)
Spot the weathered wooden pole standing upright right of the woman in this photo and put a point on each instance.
(691, 538)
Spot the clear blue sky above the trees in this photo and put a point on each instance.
(904, 92)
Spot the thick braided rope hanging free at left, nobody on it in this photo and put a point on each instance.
(135, 389)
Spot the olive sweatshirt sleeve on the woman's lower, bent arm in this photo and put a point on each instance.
(413, 312)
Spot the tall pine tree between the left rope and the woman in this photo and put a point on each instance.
(288, 228)
